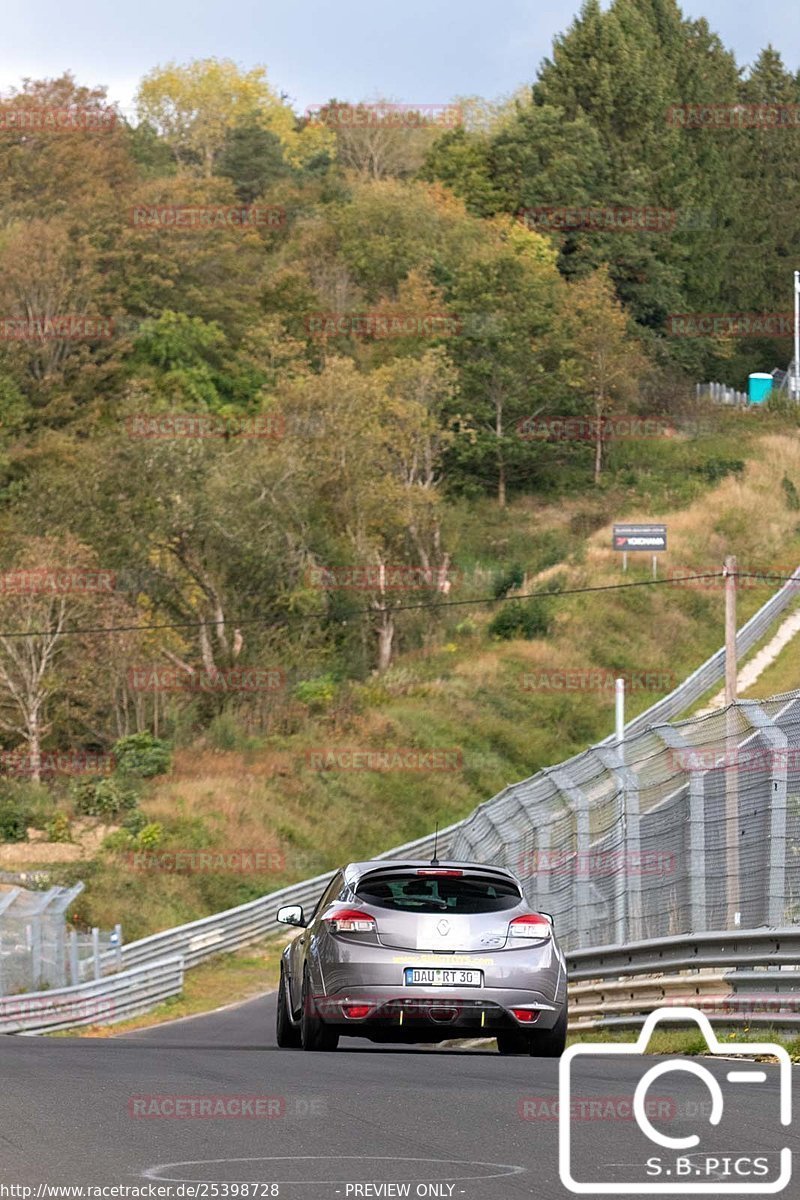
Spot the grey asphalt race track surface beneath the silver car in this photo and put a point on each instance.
(364, 1121)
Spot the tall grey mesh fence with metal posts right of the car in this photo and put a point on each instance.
(679, 829)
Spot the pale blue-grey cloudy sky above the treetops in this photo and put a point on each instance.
(411, 51)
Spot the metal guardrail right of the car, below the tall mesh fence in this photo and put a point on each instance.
(617, 987)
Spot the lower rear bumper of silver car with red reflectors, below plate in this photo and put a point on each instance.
(474, 1011)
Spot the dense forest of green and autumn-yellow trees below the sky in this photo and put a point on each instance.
(368, 340)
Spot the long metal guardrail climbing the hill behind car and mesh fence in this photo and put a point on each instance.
(239, 927)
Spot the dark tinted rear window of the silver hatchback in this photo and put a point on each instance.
(454, 895)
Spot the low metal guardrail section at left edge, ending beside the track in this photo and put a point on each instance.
(105, 1001)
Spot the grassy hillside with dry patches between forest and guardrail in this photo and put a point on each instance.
(473, 687)
